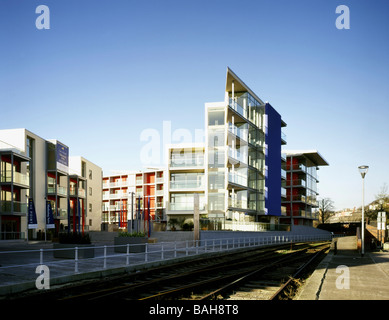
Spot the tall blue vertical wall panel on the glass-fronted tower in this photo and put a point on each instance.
(273, 161)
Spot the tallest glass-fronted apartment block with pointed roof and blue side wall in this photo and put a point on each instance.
(237, 171)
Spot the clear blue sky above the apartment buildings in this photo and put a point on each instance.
(107, 70)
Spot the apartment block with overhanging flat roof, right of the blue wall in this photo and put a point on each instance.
(301, 186)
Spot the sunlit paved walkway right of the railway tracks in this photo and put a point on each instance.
(348, 276)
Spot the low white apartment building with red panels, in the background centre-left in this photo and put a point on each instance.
(127, 193)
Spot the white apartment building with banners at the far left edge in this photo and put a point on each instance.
(36, 168)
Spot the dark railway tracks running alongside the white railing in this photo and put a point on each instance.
(205, 278)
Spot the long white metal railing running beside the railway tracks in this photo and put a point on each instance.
(22, 265)
